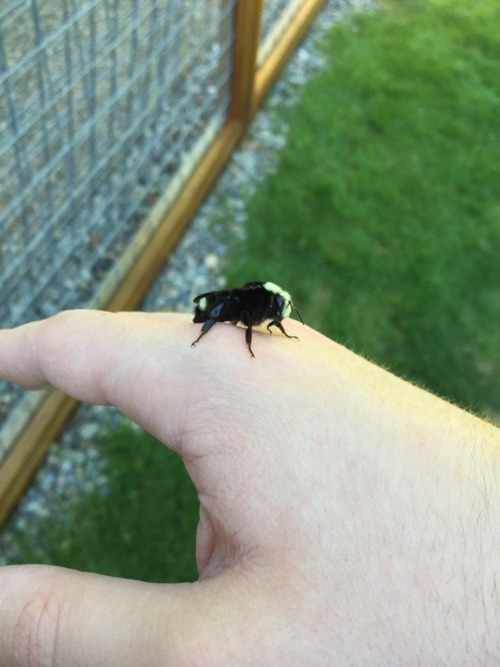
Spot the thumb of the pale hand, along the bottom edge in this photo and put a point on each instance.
(53, 617)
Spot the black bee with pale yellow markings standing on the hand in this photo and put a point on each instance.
(251, 305)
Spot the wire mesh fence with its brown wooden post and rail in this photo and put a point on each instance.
(116, 116)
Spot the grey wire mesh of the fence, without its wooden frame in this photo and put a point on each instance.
(106, 107)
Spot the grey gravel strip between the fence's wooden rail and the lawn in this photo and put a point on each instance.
(74, 466)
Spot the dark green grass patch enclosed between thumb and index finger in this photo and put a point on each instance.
(144, 528)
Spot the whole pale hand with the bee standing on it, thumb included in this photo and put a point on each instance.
(347, 517)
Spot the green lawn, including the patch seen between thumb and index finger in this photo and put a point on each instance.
(383, 220)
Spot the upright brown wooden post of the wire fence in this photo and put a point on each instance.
(246, 47)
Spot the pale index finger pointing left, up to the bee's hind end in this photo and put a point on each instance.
(104, 358)
